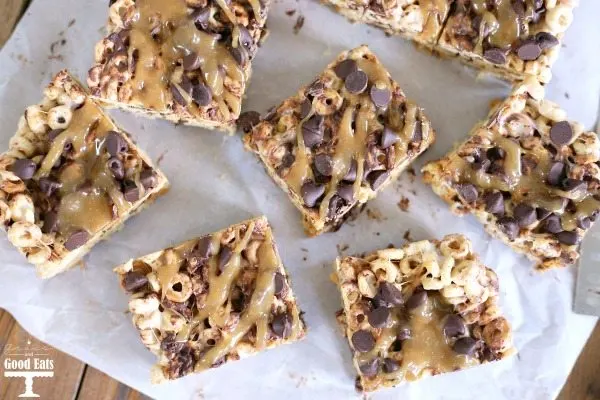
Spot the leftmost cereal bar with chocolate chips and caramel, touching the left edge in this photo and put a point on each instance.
(69, 178)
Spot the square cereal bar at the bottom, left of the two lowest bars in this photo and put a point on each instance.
(212, 300)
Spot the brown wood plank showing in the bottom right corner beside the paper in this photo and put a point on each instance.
(584, 381)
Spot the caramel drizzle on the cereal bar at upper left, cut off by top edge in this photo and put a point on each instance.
(156, 62)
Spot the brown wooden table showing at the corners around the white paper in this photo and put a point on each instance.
(76, 380)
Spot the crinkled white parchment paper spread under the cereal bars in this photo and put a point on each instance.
(215, 183)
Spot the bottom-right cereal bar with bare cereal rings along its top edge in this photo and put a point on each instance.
(427, 308)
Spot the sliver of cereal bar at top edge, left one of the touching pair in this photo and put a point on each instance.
(419, 20)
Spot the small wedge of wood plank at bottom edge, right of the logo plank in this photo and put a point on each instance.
(97, 385)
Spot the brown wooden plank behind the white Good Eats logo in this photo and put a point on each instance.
(68, 371)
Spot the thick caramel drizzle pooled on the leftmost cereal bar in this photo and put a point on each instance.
(91, 209)
